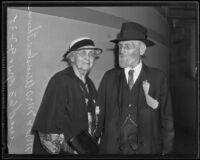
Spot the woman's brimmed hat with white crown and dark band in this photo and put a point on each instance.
(82, 43)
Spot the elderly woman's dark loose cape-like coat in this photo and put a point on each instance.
(63, 108)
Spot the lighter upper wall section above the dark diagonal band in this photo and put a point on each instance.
(147, 16)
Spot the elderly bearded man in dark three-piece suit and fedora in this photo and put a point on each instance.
(134, 100)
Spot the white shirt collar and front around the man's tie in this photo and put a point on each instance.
(137, 71)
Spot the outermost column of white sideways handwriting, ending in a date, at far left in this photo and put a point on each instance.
(13, 104)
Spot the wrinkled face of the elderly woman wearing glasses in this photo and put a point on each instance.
(84, 59)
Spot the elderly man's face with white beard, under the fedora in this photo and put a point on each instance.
(129, 53)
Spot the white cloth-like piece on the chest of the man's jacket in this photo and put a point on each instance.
(153, 103)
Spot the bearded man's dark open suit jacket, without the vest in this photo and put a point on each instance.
(156, 129)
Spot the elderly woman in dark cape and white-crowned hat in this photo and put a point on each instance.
(68, 105)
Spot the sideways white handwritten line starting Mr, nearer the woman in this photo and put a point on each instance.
(32, 33)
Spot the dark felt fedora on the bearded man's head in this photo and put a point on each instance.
(133, 31)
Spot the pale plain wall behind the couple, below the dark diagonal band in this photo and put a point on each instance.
(35, 45)
